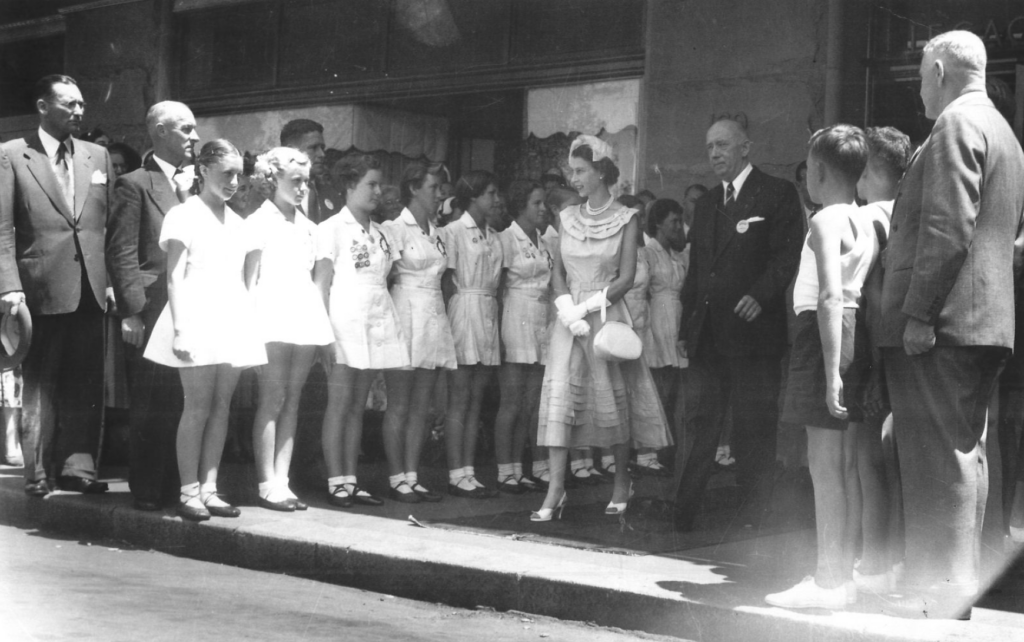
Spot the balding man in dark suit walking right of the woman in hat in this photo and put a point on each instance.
(745, 247)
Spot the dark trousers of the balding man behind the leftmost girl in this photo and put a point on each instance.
(156, 407)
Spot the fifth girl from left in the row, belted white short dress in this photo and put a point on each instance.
(475, 270)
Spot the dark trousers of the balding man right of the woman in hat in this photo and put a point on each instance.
(750, 388)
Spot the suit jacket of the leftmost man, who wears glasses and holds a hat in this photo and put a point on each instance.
(38, 253)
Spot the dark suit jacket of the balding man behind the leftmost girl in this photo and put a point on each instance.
(135, 261)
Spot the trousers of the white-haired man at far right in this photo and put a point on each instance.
(941, 405)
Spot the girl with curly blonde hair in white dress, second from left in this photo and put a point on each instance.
(289, 313)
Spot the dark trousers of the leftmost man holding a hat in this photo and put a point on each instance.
(63, 398)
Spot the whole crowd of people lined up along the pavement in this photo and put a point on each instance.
(883, 281)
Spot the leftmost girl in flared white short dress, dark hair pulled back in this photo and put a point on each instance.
(207, 329)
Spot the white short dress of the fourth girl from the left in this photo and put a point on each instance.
(421, 262)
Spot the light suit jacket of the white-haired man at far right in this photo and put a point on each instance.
(950, 262)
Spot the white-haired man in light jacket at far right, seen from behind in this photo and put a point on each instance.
(948, 307)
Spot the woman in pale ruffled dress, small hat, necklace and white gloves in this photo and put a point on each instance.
(586, 401)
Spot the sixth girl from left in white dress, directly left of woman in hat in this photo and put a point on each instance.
(528, 265)
